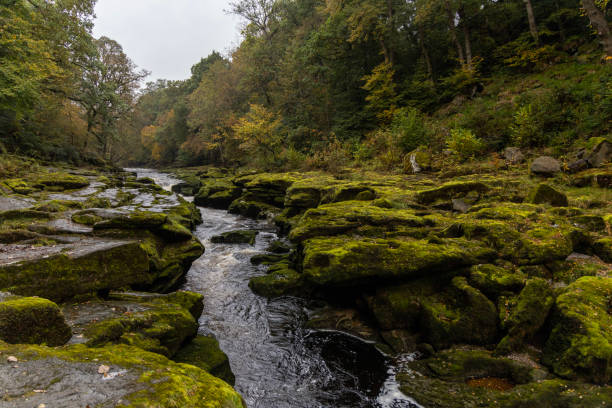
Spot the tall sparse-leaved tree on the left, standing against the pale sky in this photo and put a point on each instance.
(107, 91)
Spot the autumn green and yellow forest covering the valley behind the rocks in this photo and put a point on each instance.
(314, 84)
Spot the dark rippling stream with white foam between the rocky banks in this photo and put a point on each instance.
(277, 362)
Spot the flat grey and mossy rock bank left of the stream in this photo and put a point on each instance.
(89, 259)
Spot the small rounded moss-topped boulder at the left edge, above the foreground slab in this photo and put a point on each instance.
(32, 321)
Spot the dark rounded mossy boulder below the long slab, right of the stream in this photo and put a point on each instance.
(460, 314)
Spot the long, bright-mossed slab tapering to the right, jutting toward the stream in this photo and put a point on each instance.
(352, 261)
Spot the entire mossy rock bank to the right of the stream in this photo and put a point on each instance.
(498, 280)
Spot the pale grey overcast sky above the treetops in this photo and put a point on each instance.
(167, 37)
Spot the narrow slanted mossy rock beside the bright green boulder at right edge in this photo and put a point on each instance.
(528, 316)
